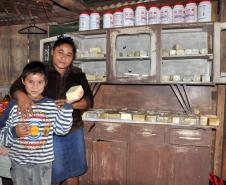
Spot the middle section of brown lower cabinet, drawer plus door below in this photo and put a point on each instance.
(148, 155)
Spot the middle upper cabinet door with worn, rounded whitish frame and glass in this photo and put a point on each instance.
(134, 54)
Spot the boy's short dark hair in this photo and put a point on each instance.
(34, 67)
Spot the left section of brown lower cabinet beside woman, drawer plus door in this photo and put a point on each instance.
(106, 154)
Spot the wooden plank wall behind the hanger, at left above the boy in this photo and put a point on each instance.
(15, 49)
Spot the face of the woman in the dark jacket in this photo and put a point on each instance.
(62, 57)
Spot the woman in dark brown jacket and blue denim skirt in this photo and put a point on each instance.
(69, 150)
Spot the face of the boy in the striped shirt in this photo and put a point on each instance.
(34, 85)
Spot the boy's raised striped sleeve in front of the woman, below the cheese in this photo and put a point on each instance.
(63, 120)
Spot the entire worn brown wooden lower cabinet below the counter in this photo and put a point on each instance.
(131, 154)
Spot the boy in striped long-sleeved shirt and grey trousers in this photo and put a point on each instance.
(30, 137)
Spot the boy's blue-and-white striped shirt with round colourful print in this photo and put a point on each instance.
(44, 120)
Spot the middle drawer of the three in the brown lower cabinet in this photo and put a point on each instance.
(152, 134)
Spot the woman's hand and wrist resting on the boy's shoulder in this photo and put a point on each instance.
(24, 103)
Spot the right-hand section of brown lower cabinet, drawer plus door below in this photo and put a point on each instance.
(190, 151)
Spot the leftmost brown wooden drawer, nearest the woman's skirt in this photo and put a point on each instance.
(117, 131)
